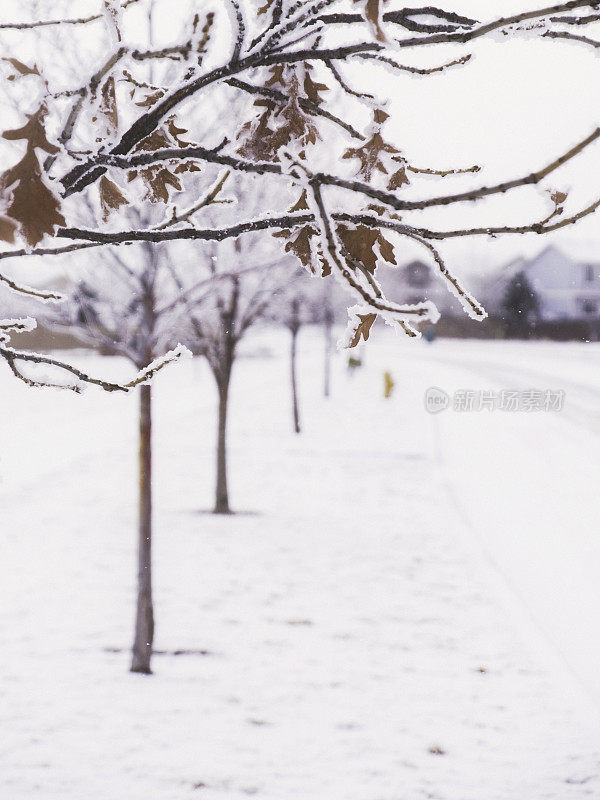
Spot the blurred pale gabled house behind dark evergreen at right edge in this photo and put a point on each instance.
(567, 289)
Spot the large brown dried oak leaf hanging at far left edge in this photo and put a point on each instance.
(32, 205)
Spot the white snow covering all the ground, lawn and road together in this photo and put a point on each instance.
(406, 609)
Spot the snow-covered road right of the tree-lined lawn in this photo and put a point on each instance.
(531, 501)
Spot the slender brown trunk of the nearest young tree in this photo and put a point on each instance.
(144, 622)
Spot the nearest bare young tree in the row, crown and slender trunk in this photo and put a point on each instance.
(130, 303)
